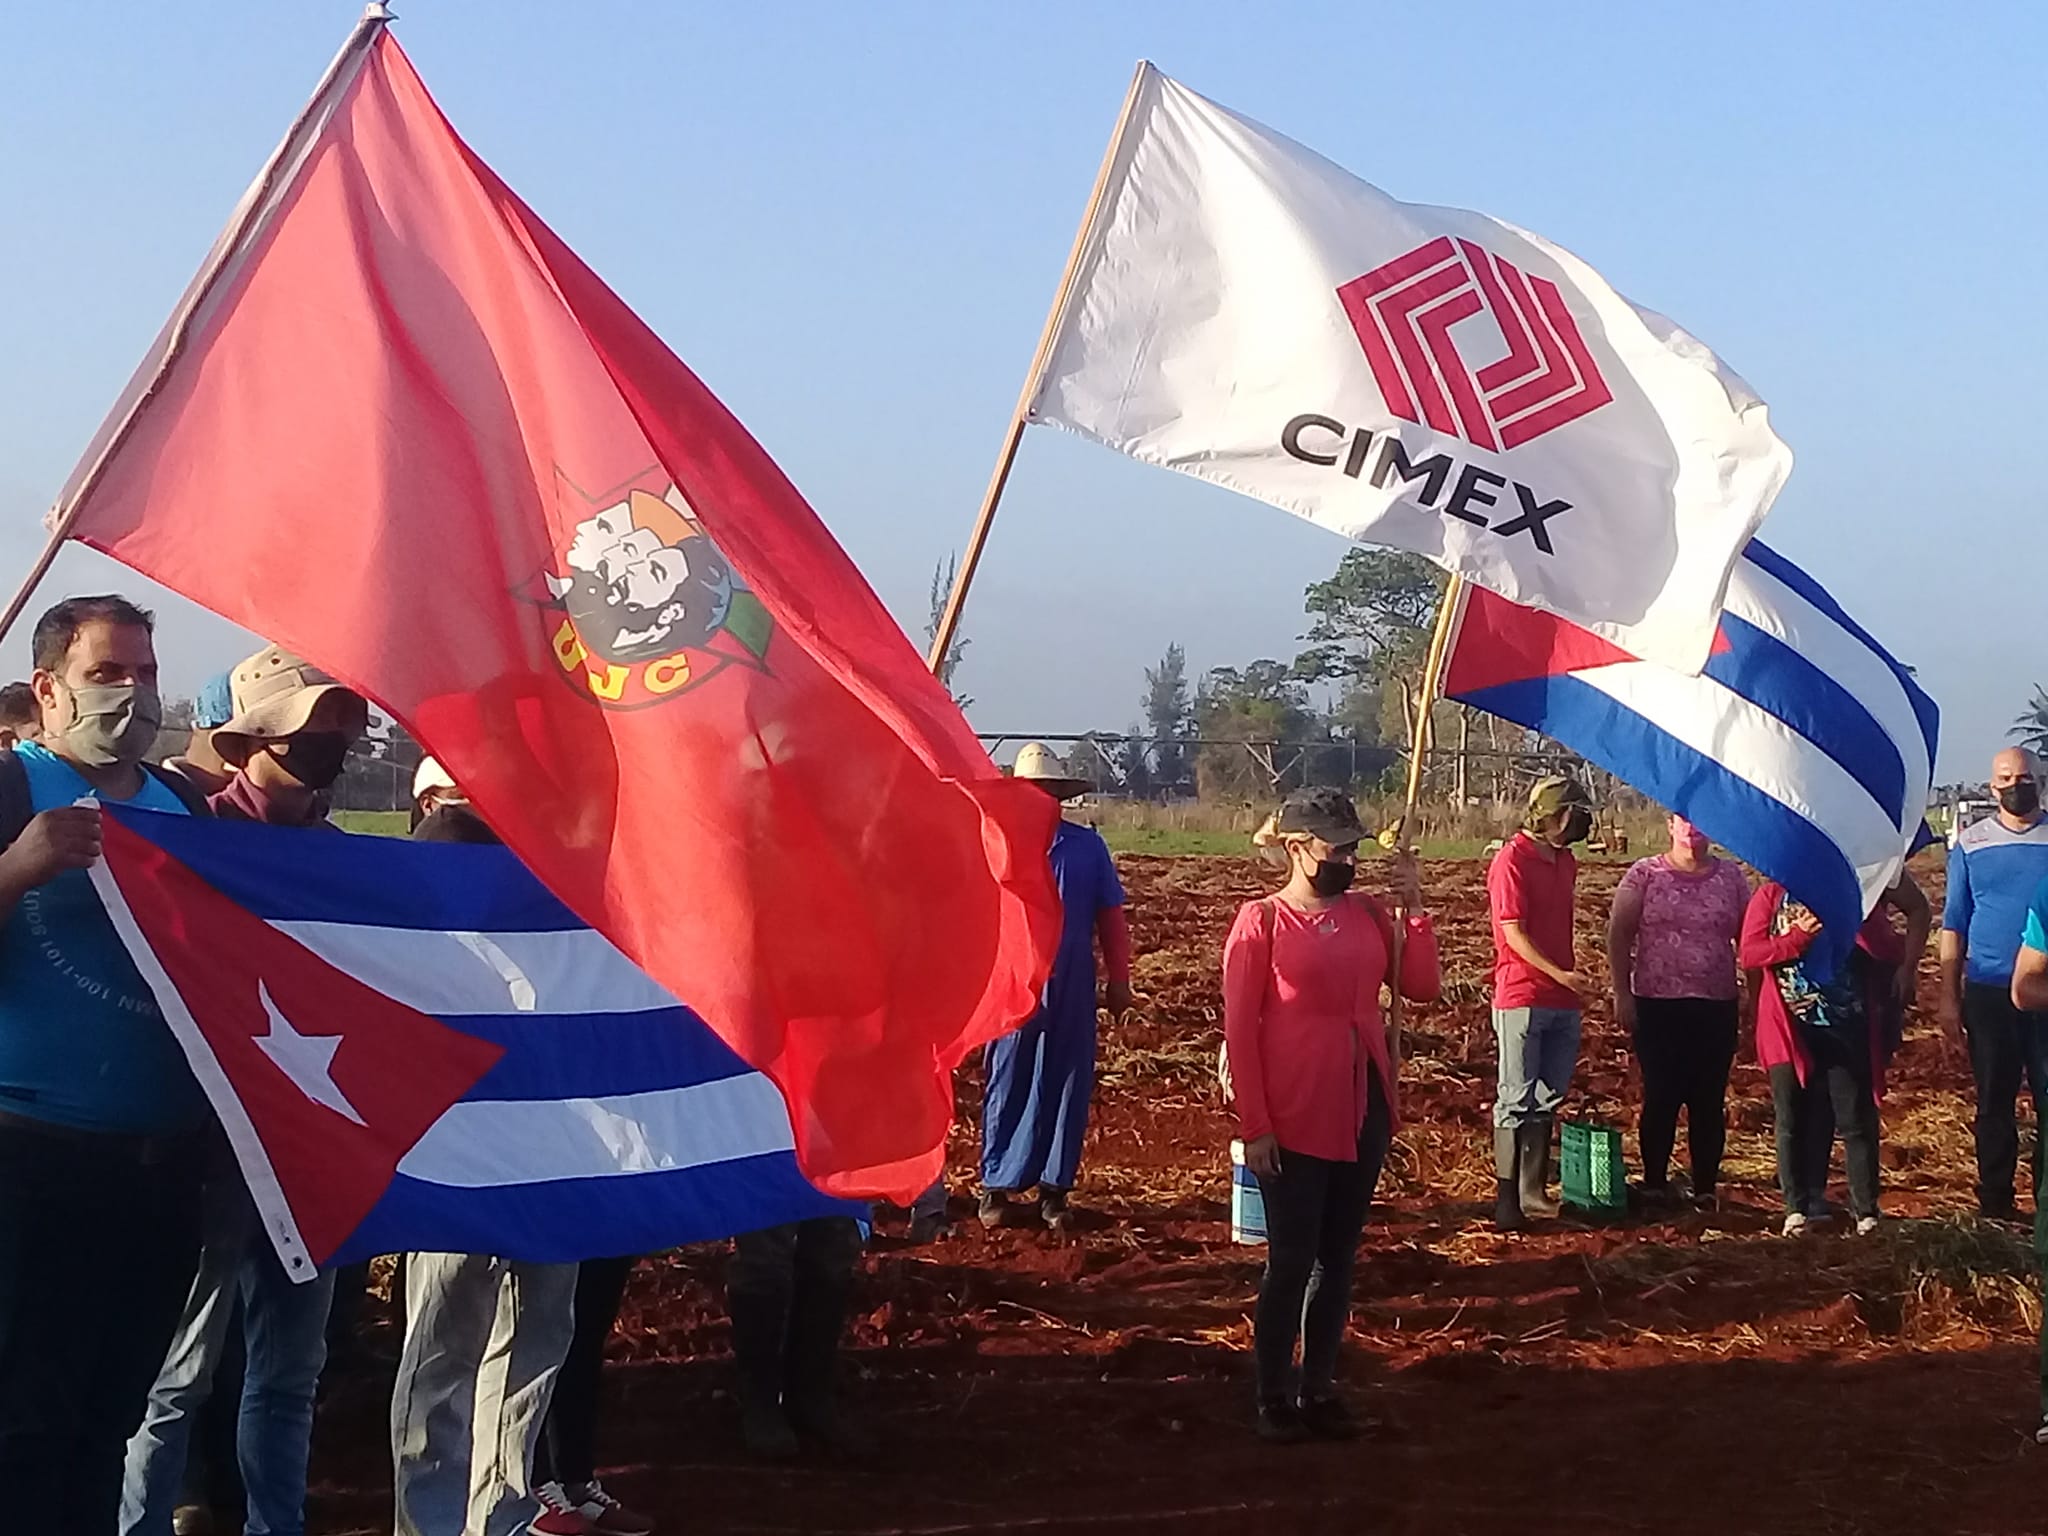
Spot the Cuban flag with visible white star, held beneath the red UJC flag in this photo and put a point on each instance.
(419, 1048)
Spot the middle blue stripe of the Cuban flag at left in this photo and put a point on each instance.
(599, 1056)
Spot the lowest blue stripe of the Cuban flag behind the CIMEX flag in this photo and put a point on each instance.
(1730, 810)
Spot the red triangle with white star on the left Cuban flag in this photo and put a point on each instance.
(337, 1078)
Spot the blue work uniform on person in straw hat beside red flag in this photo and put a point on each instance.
(1041, 1078)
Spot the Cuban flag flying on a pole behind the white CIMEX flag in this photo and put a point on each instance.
(1803, 749)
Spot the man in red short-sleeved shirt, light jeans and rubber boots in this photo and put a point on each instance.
(1537, 992)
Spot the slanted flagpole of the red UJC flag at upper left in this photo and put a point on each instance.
(171, 345)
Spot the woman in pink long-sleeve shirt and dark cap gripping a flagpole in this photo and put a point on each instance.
(1314, 1078)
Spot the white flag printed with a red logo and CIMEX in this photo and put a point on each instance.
(1408, 376)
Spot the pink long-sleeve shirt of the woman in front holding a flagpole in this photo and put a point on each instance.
(1302, 1017)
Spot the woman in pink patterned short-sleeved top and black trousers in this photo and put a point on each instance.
(1676, 990)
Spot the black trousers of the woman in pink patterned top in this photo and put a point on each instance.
(1684, 1050)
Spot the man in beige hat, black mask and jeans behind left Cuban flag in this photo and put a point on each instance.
(286, 742)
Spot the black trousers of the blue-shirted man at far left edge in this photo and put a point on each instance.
(99, 1242)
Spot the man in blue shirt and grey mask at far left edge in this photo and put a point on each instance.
(101, 1121)
